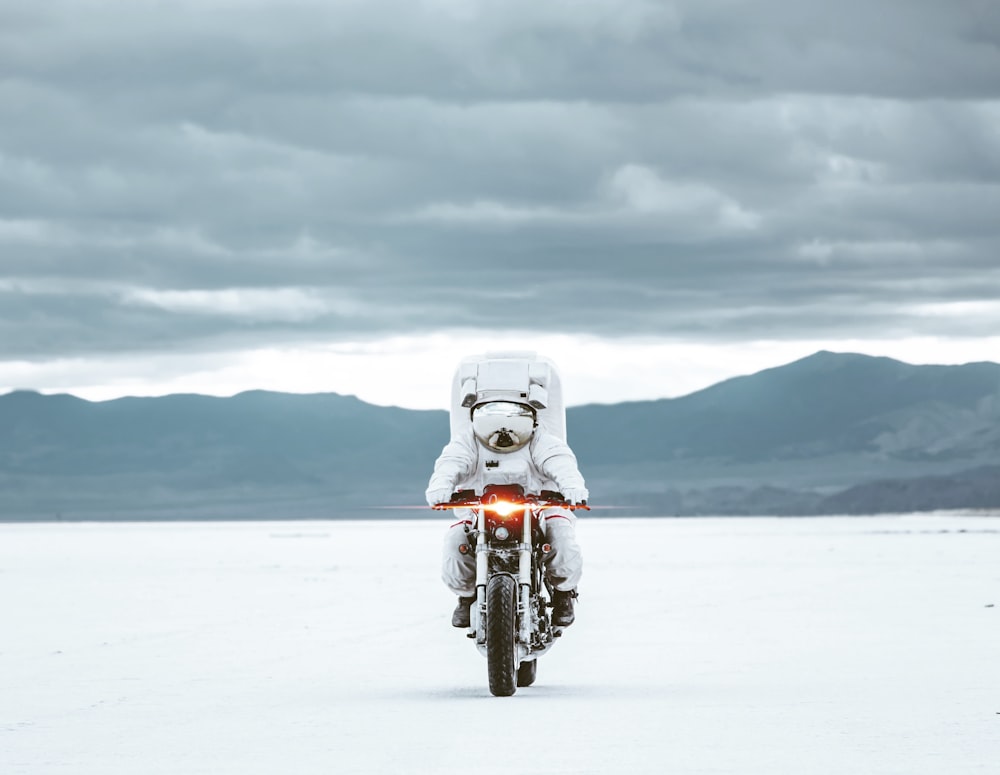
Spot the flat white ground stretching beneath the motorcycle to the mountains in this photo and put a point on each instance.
(806, 646)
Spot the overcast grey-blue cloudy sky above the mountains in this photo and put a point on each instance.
(306, 195)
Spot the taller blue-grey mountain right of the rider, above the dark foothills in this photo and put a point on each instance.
(823, 423)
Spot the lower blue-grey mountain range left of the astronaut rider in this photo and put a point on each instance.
(256, 454)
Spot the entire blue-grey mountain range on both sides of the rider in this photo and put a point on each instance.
(831, 432)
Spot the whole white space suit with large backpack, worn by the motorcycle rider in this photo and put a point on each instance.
(506, 428)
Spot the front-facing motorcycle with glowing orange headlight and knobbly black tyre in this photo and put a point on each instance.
(510, 619)
